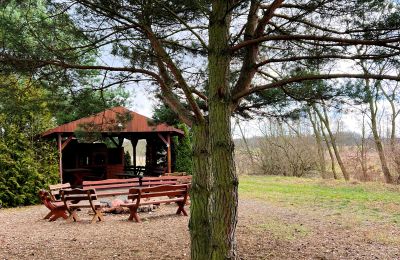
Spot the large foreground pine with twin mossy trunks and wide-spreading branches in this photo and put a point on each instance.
(206, 57)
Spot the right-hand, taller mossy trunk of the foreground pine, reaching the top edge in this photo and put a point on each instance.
(225, 185)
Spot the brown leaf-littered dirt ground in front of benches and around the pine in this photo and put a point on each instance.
(264, 231)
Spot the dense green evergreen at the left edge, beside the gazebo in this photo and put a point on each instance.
(26, 163)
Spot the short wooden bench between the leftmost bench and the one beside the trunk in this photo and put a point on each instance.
(75, 199)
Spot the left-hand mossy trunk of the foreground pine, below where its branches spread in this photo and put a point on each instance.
(200, 229)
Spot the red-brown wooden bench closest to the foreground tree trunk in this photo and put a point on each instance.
(157, 195)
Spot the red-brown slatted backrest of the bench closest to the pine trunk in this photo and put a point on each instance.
(158, 191)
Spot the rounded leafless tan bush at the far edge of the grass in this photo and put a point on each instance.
(283, 150)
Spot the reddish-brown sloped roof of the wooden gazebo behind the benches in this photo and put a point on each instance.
(118, 120)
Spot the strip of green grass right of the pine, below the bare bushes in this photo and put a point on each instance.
(361, 201)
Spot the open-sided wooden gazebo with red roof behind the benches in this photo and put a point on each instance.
(95, 158)
